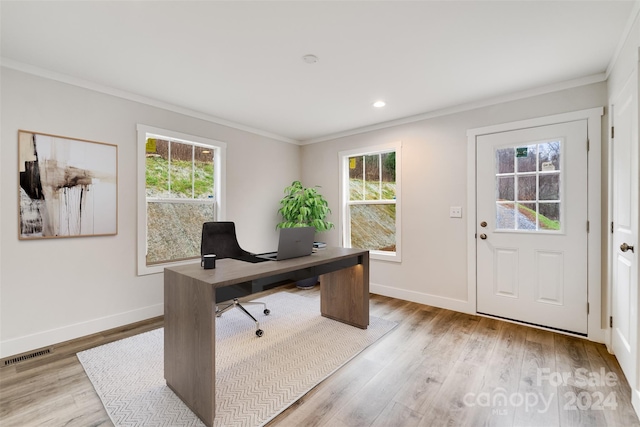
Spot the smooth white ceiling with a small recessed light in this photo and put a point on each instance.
(240, 62)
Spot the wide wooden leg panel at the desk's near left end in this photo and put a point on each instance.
(189, 342)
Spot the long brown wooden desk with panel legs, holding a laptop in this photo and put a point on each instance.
(189, 311)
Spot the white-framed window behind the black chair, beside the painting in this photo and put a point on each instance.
(179, 188)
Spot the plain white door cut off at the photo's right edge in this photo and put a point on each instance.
(624, 286)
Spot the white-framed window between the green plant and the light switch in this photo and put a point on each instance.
(370, 194)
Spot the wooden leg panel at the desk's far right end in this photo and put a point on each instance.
(344, 295)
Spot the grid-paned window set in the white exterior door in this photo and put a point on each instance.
(528, 187)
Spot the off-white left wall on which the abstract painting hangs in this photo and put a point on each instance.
(58, 289)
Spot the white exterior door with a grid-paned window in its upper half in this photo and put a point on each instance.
(532, 225)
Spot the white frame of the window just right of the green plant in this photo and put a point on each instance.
(345, 216)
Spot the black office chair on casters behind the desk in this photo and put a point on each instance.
(219, 238)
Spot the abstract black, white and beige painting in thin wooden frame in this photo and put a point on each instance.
(68, 187)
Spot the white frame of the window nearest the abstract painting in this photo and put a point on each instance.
(219, 161)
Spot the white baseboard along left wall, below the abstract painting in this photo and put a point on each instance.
(55, 336)
